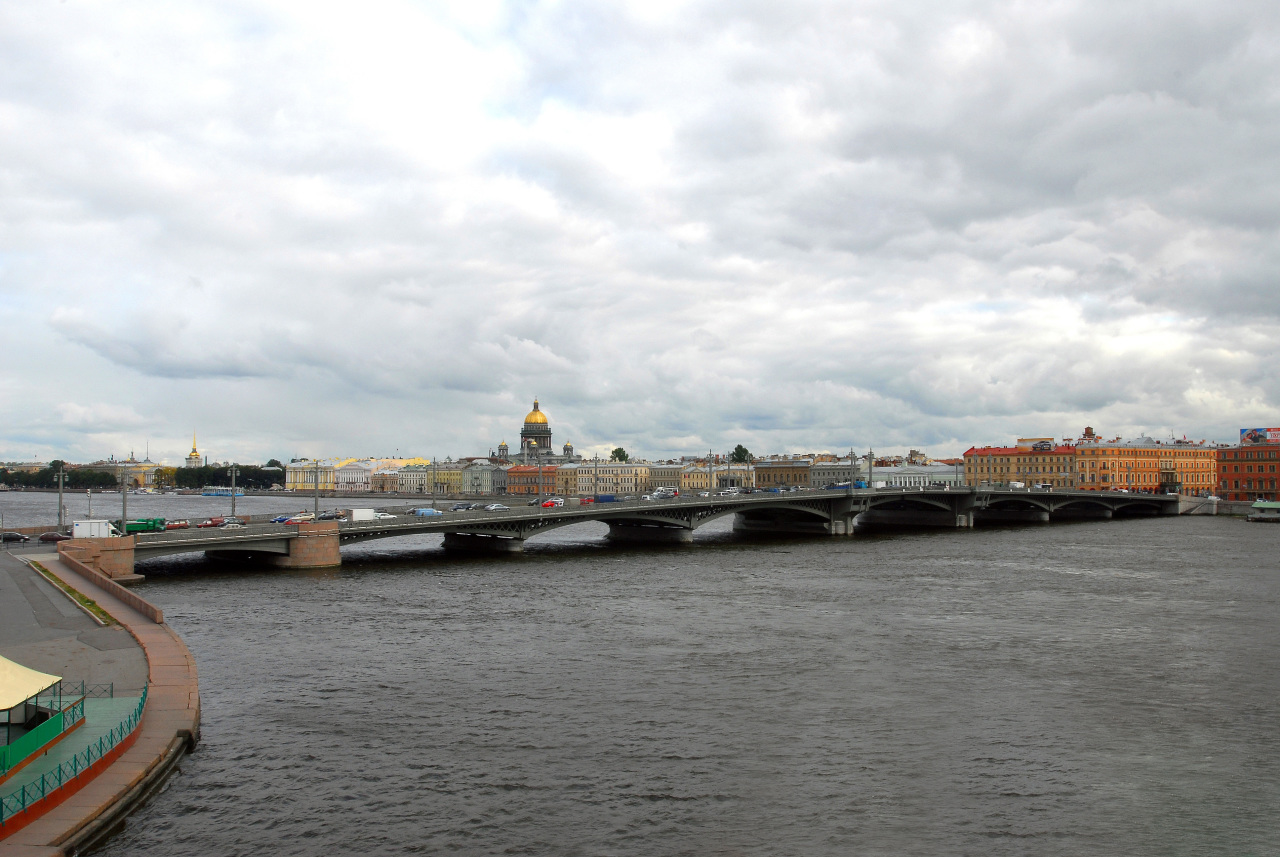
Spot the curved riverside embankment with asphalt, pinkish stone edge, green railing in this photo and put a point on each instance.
(72, 795)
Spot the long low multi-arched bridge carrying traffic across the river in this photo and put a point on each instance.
(819, 514)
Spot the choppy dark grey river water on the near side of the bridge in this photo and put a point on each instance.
(1096, 689)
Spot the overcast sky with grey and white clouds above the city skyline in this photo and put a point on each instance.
(319, 228)
